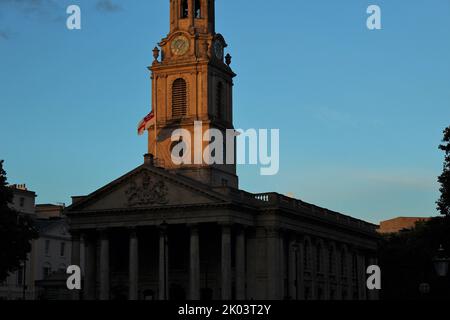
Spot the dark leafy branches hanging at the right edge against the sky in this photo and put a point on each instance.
(444, 179)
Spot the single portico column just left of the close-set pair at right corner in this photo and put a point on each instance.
(194, 264)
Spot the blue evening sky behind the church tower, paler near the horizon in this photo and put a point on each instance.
(360, 112)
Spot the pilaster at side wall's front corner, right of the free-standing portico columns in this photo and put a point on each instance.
(274, 264)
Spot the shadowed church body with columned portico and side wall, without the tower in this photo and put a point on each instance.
(223, 244)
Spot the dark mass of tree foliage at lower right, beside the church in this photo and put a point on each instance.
(406, 260)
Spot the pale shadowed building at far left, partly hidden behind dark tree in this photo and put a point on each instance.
(50, 252)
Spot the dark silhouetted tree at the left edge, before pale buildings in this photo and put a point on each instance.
(16, 231)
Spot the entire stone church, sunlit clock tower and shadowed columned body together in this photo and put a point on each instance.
(186, 231)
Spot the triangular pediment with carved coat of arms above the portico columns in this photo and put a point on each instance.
(148, 187)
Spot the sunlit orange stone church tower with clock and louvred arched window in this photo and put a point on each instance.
(191, 83)
